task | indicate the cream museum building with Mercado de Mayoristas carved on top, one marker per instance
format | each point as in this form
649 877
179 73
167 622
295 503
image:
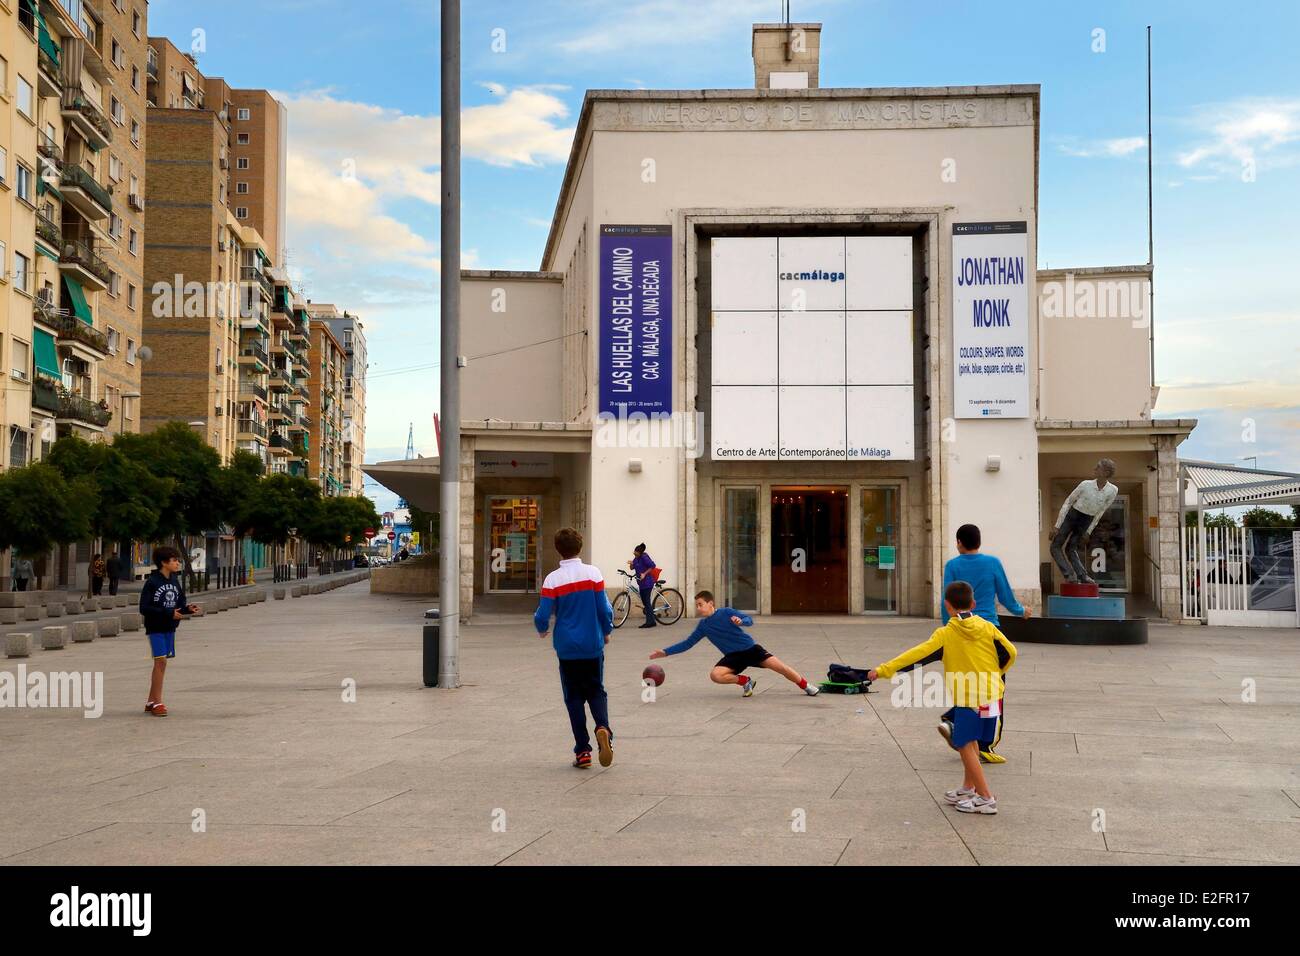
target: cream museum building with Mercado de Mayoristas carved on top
792 338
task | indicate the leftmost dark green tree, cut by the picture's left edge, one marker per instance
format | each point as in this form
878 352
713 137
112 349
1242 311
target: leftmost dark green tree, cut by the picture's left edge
40 509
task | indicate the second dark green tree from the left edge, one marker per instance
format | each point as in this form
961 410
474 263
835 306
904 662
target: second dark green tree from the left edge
127 495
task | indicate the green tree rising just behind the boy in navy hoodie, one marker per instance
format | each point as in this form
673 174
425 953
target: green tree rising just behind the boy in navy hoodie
177 452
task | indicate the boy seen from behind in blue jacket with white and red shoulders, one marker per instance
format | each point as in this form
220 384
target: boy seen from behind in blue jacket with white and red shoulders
575 595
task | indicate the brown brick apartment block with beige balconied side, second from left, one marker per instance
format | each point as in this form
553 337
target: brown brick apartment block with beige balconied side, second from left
209 248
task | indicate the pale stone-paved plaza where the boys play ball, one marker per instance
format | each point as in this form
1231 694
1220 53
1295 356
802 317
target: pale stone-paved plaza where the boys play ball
263 749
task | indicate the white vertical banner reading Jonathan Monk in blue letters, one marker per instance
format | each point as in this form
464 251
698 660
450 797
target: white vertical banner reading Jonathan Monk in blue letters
991 321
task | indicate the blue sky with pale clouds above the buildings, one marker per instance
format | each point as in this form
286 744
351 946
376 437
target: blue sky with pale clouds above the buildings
362 88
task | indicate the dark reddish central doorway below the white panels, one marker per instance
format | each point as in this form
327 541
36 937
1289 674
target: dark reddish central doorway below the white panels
811 551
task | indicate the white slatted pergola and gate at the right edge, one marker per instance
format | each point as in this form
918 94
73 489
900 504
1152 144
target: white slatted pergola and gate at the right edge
1224 579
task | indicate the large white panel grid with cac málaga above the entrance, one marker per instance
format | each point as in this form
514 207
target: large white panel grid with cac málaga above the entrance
846 377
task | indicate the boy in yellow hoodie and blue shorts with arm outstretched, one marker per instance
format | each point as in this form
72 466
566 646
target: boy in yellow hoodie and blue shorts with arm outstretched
973 677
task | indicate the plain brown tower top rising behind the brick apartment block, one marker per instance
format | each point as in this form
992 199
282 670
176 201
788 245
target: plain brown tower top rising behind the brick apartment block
261 128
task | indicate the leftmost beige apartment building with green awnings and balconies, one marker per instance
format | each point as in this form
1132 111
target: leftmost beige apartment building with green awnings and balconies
75 237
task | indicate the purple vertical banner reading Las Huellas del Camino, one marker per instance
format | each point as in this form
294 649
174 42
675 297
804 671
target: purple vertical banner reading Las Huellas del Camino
636 319
